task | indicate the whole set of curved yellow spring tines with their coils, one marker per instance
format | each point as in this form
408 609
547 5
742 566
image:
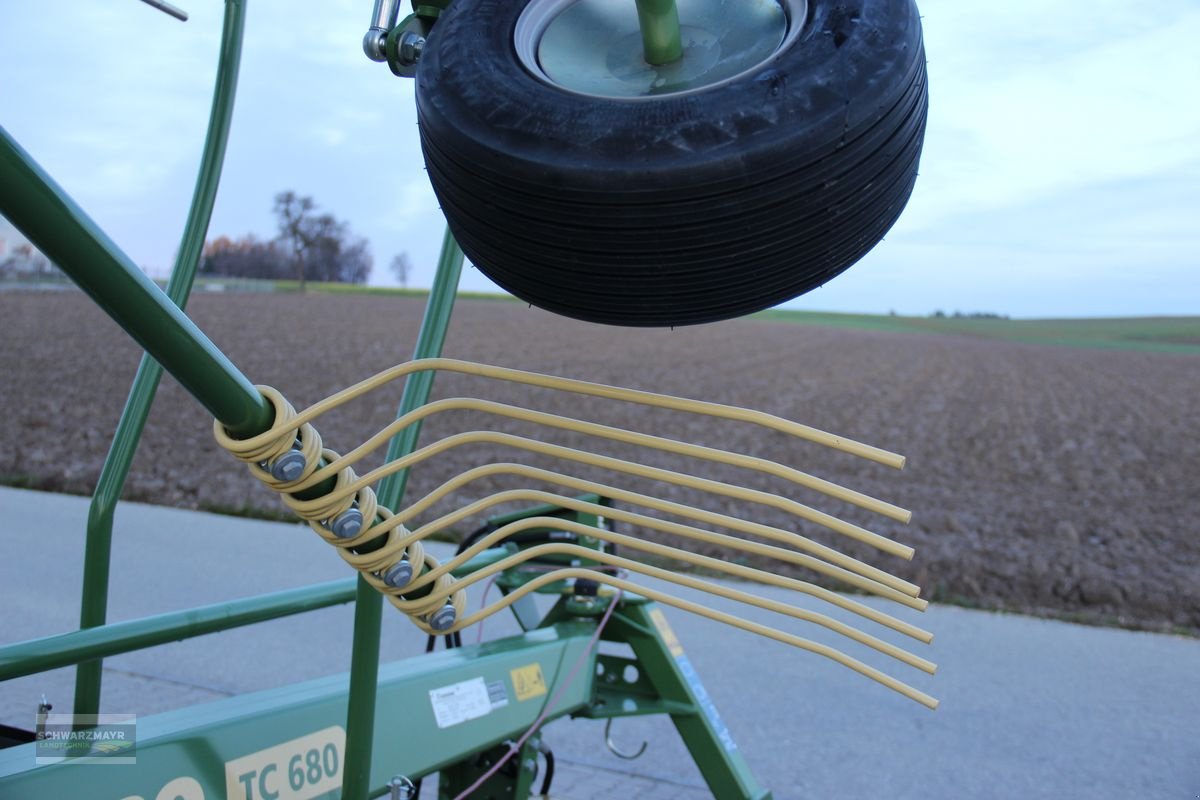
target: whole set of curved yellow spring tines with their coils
441 587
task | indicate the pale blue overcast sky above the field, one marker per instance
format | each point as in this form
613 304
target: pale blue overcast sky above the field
1061 176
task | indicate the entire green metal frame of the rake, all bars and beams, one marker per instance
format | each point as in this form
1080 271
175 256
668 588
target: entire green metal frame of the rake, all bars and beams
200 751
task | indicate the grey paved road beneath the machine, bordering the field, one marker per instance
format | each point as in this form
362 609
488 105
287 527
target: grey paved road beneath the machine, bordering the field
1030 708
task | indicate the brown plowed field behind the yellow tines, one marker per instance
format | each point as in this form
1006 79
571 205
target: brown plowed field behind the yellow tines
1054 480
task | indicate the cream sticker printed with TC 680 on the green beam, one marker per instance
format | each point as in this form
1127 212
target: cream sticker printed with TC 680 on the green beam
301 769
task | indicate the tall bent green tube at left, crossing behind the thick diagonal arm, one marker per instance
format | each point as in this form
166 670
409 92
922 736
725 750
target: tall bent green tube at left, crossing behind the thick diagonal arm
98 550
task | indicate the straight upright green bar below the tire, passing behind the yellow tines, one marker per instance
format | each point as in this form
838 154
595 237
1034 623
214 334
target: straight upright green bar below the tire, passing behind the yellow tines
369 610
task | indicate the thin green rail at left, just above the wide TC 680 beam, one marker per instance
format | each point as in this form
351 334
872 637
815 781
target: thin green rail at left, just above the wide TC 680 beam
67 649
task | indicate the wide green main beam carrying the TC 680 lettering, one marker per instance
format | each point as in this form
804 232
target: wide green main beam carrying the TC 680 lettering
251 739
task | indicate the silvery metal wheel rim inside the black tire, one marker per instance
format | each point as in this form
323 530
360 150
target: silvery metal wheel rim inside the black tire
595 47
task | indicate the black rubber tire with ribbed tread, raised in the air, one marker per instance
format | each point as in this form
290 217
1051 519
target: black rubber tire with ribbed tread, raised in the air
682 209
